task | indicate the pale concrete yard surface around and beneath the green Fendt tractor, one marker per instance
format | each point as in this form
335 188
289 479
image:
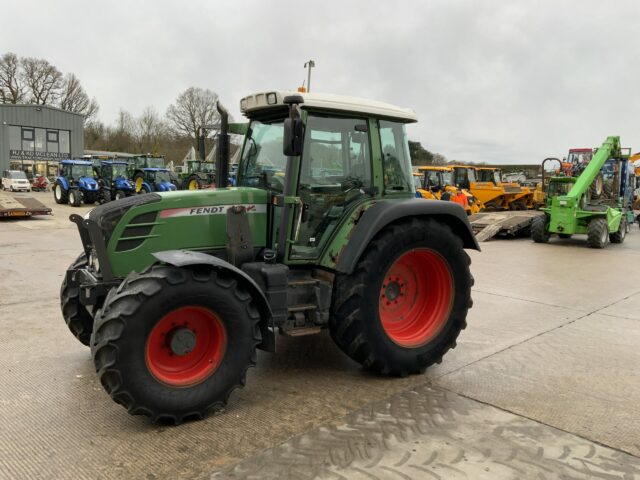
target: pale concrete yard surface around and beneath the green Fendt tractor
544 383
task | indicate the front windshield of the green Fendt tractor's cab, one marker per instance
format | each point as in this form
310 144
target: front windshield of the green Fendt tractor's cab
263 164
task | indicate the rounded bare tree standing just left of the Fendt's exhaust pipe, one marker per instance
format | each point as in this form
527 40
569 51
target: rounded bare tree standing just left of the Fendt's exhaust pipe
193 108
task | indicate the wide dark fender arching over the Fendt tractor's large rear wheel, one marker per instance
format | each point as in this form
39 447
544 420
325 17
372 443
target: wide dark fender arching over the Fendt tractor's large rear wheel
385 212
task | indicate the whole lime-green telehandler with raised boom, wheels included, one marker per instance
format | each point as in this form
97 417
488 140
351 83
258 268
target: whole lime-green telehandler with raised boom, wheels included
596 202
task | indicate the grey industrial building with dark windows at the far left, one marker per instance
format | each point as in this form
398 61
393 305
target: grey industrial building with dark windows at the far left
33 138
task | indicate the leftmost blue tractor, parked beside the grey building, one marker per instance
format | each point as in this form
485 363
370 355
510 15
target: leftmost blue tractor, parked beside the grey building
75 183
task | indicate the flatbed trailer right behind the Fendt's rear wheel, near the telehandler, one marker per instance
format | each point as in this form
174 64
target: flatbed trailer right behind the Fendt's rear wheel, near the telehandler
512 223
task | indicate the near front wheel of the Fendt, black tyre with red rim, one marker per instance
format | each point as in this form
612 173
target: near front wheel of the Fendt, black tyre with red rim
172 343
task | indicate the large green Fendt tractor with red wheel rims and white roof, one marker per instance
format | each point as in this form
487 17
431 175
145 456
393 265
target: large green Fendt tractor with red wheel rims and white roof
175 291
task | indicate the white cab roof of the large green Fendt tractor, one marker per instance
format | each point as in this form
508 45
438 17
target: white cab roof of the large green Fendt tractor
268 100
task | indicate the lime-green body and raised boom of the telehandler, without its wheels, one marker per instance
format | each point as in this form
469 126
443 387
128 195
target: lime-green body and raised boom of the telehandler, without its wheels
571 213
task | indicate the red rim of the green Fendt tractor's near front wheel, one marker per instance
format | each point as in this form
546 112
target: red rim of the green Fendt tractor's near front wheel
191 365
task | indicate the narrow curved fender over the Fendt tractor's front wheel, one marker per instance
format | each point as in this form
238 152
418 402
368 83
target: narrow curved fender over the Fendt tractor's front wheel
186 258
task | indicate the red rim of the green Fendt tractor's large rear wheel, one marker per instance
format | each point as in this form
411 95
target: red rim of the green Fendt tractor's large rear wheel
416 297
